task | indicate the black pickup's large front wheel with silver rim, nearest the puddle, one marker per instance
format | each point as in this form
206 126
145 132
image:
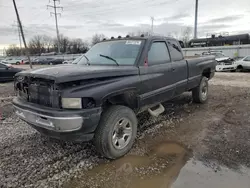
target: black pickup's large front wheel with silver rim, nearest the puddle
108 134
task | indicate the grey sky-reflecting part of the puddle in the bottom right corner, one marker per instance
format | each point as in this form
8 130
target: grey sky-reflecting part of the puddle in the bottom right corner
196 175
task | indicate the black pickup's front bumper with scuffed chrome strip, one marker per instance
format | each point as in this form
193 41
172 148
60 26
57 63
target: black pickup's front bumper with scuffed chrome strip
74 125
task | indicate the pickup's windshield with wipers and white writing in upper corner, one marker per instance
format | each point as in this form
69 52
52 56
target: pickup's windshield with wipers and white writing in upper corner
122 52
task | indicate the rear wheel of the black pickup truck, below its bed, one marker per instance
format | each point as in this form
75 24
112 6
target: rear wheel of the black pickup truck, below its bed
200 93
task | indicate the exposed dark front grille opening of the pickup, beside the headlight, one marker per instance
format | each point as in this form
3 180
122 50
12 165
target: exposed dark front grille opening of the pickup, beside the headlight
38 91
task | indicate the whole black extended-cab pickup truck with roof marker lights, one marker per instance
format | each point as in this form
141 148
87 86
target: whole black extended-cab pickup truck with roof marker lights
99 95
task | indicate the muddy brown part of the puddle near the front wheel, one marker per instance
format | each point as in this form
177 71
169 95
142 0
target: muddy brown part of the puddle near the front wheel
157 170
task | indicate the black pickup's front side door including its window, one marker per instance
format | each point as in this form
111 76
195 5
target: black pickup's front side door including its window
157 77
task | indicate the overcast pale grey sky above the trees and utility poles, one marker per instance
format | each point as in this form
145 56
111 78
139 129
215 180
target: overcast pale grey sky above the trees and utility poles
83 18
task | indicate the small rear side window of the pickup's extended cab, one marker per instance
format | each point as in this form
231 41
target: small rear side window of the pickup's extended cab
175 50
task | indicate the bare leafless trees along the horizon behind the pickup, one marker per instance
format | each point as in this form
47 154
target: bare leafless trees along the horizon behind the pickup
40 44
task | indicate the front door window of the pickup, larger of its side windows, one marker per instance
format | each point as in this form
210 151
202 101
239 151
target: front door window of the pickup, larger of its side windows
158 53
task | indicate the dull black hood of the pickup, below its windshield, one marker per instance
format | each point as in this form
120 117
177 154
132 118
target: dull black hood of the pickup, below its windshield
67 73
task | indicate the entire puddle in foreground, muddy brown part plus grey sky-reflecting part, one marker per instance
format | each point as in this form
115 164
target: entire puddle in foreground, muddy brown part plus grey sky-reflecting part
168 165
